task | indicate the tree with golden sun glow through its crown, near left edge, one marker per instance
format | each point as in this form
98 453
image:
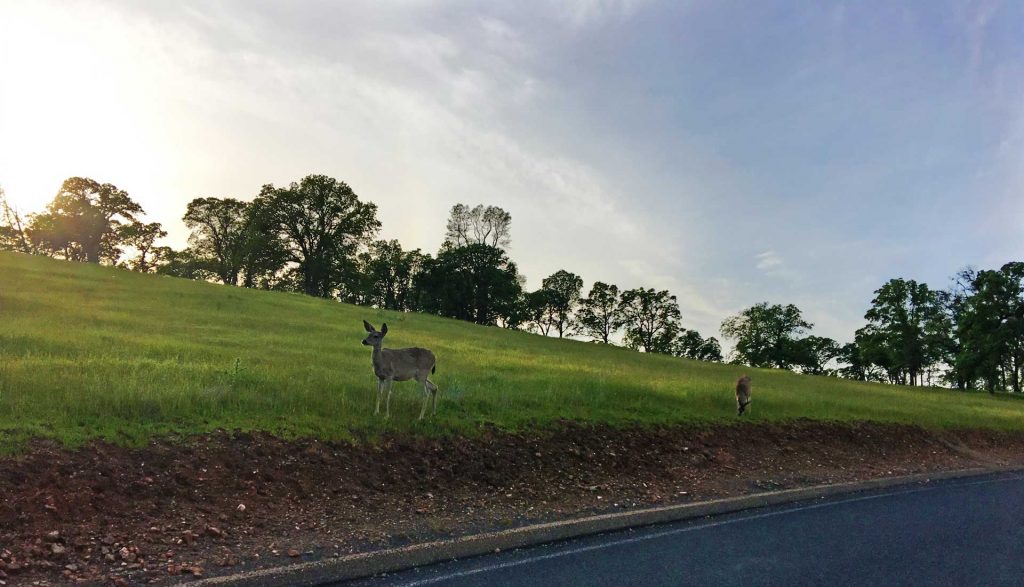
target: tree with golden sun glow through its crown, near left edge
82 223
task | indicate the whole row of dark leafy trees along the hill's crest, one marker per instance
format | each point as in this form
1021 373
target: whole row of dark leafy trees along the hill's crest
319 238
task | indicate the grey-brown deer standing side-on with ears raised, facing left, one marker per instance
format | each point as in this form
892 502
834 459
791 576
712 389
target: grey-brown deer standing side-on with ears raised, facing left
393 365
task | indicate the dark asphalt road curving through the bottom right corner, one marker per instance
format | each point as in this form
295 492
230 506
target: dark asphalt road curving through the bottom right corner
955 533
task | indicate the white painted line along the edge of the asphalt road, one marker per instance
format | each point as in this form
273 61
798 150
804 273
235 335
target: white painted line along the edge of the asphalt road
662 534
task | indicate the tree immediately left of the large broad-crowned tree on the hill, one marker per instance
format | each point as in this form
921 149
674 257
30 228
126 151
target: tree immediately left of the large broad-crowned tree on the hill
219 235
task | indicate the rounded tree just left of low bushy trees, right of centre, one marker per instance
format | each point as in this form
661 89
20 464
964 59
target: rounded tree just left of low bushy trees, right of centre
651 319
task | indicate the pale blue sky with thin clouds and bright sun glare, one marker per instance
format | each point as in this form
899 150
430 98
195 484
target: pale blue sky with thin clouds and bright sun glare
730 152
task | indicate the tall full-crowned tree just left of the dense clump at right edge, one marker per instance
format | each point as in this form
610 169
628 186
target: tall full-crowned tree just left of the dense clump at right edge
907 332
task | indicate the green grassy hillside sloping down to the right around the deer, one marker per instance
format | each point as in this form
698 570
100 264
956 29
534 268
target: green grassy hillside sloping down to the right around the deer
90 352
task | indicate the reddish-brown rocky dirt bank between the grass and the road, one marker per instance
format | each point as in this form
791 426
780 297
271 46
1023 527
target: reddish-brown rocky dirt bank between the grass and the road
184 509
